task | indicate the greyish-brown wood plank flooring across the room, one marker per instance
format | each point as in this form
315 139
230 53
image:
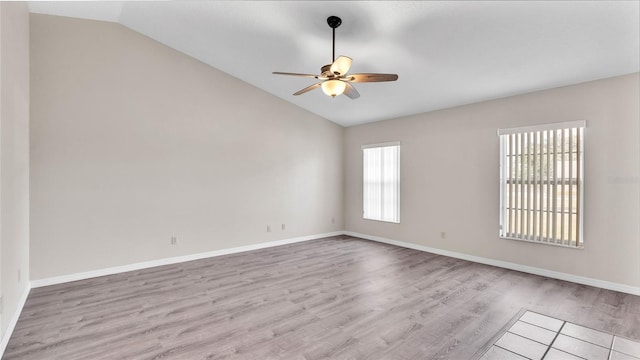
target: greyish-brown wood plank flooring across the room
333 298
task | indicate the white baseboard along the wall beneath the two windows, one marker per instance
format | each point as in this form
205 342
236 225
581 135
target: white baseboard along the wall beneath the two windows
507 265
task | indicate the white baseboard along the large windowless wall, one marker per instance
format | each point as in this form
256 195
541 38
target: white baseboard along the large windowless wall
173 260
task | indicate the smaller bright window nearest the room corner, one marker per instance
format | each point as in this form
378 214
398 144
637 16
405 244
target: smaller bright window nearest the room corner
381 182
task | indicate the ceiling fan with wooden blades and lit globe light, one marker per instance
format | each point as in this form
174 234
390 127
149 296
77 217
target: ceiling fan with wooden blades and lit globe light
334 78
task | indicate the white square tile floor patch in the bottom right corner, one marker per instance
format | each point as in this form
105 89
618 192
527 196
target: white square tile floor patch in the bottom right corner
534 336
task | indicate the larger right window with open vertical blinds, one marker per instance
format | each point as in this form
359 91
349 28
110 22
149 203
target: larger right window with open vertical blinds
541 183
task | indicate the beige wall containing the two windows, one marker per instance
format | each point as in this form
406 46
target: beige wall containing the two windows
449 178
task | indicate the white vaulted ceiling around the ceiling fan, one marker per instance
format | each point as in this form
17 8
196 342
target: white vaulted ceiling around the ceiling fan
446 53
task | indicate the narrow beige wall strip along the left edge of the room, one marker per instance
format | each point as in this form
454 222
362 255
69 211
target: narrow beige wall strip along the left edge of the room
14 156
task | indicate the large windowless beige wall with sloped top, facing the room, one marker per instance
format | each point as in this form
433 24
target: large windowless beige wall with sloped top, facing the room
133 142
